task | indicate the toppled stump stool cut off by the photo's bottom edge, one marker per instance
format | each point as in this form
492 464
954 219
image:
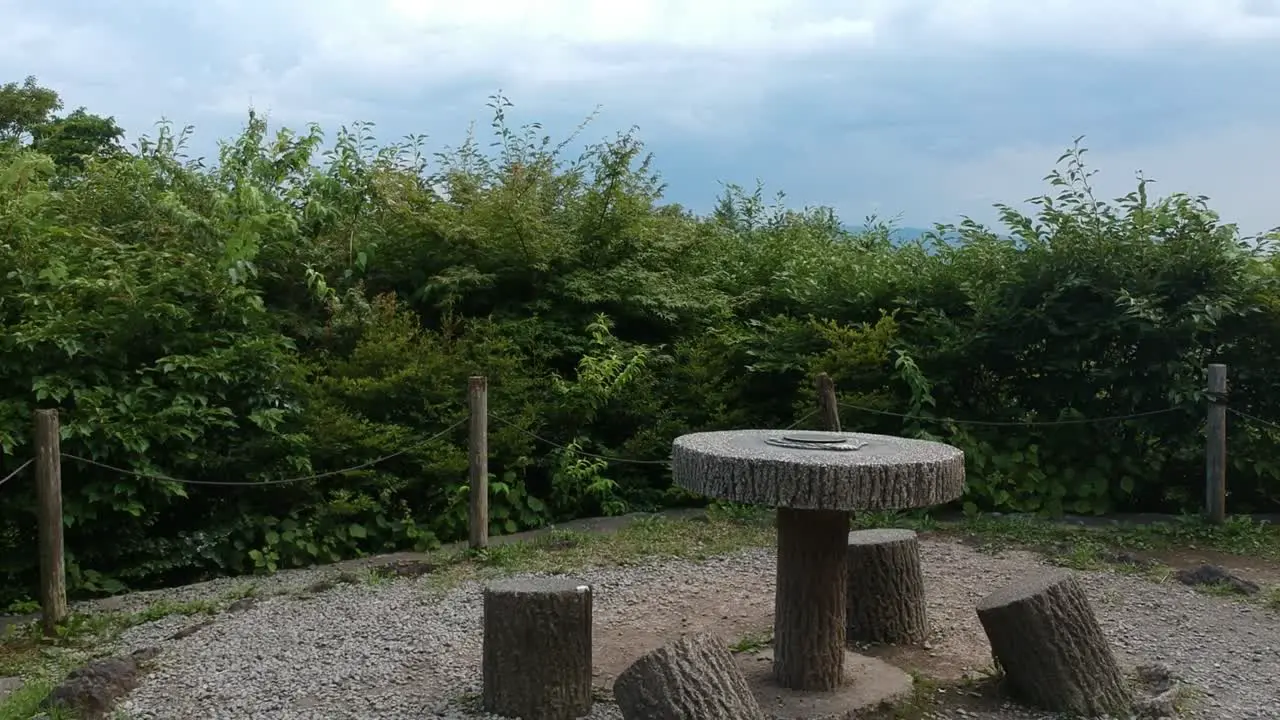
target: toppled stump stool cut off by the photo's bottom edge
694 678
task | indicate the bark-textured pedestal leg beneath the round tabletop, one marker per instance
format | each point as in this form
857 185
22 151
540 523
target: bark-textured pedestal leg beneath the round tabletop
810 605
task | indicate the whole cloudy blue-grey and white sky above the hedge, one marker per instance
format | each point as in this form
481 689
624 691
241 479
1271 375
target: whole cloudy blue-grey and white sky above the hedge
924 108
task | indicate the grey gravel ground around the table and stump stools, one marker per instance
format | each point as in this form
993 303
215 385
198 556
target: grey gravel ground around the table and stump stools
395 651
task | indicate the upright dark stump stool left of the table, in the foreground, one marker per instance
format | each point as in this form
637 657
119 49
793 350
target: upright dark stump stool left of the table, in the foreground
538 649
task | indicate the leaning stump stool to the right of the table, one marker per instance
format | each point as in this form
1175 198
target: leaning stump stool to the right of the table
1054 655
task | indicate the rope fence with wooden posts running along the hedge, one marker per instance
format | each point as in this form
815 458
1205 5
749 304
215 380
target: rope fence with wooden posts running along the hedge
48 464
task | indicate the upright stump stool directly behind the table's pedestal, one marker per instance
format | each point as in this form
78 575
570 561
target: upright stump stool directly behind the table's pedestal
885 601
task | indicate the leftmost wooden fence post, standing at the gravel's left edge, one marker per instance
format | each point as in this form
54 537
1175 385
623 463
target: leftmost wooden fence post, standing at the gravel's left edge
49 521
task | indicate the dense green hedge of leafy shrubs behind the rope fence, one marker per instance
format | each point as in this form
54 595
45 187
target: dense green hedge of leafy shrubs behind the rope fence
313 308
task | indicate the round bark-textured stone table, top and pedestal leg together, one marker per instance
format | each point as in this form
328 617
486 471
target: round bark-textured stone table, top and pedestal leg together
816 480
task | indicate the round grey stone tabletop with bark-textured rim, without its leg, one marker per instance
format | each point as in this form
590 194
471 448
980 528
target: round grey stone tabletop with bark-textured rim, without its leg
819 471
